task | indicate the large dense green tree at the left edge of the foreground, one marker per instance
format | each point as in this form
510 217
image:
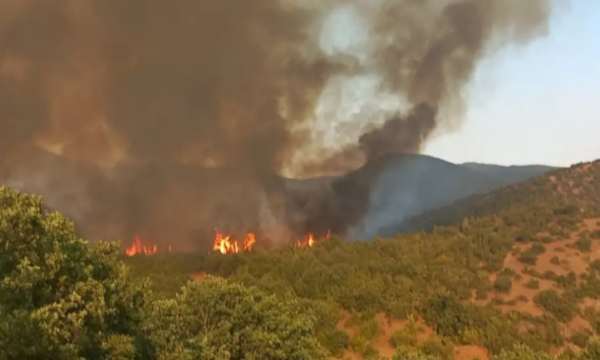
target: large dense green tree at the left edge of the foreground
60 297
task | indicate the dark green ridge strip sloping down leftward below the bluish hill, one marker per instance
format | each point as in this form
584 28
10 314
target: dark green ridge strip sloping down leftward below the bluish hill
578 186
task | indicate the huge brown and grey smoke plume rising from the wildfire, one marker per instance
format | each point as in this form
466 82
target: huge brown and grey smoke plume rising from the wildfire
142 97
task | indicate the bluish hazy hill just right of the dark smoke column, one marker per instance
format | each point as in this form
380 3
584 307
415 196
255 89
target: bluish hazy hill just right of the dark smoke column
403 185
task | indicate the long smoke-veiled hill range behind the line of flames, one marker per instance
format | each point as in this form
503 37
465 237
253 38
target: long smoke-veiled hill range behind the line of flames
142 199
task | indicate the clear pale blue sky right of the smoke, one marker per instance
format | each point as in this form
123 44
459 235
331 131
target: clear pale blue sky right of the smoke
538 104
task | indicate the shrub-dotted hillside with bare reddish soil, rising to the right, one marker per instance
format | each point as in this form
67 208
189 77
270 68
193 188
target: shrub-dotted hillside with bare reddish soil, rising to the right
528 272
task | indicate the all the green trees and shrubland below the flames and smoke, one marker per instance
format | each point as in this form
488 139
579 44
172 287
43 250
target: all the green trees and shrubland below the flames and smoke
509 275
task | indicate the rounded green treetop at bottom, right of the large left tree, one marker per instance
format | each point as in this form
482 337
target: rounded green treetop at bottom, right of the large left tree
217 320
